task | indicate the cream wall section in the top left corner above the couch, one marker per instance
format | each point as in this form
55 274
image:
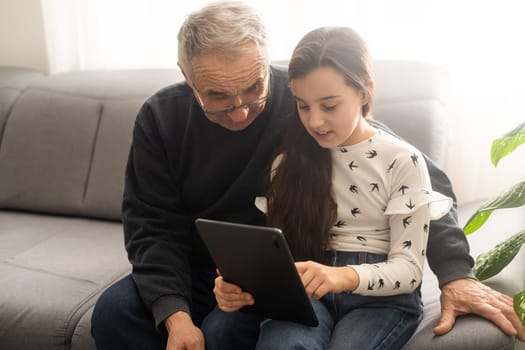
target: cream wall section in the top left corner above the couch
22 39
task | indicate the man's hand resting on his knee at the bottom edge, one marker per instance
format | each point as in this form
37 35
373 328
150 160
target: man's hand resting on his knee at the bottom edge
182 333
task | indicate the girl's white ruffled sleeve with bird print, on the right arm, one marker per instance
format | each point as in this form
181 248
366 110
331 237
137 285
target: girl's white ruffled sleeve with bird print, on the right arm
409 212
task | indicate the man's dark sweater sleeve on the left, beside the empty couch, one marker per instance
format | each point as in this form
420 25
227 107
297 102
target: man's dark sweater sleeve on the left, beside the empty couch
156 230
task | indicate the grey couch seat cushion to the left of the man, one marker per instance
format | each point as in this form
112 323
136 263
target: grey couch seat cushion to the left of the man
52 269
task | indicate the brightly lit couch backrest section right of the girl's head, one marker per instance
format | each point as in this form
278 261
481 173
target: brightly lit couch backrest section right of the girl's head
412 98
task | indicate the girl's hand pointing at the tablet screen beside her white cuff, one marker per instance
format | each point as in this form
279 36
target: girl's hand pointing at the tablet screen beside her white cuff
319 279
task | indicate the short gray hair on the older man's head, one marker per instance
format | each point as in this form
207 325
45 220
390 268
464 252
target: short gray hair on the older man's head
224 26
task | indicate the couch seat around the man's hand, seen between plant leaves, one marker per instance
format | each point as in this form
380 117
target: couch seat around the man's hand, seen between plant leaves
472 332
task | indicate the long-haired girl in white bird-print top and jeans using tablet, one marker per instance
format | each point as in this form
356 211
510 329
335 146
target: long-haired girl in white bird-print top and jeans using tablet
354 203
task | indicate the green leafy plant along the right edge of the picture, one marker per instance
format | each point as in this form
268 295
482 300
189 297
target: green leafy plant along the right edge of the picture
492 262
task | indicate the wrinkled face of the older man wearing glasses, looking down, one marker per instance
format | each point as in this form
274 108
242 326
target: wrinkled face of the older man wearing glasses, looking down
232 90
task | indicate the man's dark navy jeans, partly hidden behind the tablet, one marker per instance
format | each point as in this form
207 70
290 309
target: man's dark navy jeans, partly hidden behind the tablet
121 321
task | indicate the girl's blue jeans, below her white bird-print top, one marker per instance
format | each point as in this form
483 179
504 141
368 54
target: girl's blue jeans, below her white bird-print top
349 321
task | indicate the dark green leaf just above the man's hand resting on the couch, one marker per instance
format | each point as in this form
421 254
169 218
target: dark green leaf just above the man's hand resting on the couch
490 263
